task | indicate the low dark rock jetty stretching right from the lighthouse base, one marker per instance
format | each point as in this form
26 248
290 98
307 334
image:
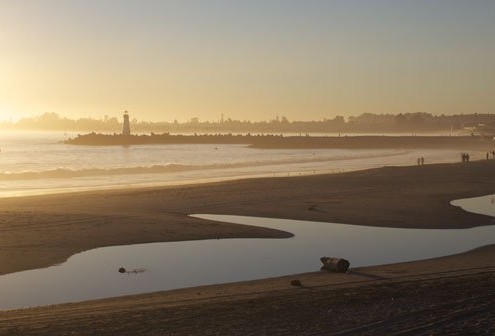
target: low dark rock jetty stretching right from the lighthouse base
290 142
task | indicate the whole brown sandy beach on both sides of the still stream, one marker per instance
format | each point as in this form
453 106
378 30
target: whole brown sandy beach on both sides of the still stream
450 295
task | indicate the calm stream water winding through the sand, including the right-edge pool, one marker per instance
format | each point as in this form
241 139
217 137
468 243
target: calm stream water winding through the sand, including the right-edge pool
93 274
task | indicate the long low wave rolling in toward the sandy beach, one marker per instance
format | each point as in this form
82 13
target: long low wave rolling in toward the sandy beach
65 173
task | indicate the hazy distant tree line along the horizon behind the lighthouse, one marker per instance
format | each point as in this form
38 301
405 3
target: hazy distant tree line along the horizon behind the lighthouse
373 123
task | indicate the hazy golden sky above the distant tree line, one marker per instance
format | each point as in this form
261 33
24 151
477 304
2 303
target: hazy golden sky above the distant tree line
307 59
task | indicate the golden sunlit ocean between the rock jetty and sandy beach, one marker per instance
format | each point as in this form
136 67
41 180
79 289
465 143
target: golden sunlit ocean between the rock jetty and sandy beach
34 163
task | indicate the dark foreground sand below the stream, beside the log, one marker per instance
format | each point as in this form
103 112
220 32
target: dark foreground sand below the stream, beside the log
447 295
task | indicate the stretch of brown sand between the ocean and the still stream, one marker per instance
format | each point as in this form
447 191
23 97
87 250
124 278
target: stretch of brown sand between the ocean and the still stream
40 231
